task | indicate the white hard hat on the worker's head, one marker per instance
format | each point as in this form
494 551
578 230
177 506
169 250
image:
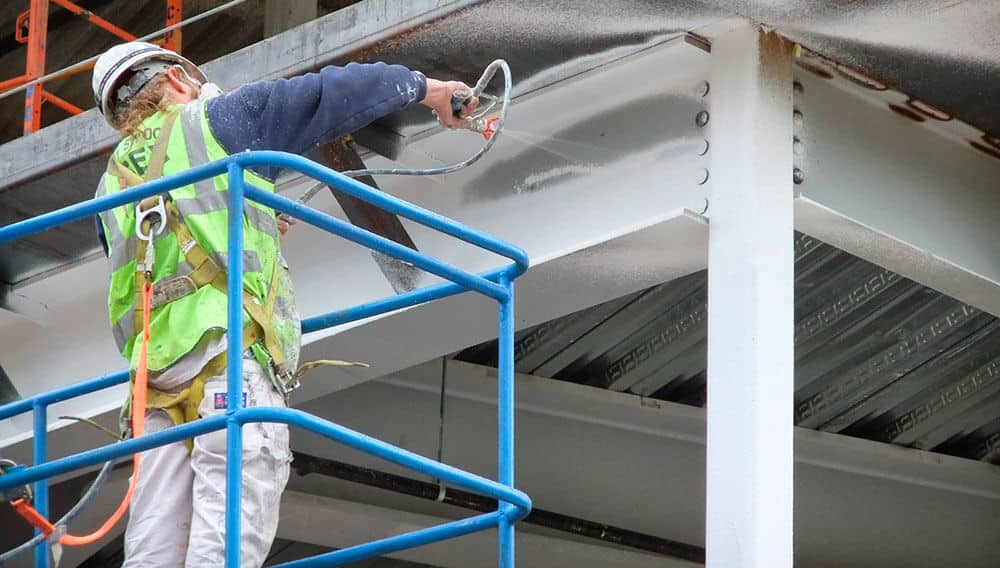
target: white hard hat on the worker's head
116 63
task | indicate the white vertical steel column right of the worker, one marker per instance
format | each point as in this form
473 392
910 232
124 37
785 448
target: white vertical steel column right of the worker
750 293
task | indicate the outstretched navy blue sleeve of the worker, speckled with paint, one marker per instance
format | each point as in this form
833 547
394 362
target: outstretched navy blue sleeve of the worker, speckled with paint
294 115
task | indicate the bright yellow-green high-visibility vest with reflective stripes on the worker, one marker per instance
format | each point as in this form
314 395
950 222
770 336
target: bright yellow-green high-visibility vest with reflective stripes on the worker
183 312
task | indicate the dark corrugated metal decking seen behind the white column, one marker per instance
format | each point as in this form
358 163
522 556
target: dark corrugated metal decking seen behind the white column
877 356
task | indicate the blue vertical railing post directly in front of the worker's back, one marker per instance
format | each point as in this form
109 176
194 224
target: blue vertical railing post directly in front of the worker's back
234 366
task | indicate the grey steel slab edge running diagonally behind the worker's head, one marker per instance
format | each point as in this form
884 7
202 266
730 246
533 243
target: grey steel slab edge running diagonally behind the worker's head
302 49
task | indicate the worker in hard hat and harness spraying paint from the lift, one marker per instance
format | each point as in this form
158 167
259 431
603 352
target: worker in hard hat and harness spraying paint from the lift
172 119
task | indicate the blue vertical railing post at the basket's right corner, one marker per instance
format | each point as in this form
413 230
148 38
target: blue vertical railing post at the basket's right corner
505 410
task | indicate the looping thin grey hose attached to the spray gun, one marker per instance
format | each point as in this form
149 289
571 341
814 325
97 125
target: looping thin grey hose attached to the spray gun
477 123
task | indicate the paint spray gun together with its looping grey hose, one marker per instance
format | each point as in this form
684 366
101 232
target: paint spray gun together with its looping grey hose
477 122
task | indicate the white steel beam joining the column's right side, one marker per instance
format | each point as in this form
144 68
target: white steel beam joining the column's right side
902 194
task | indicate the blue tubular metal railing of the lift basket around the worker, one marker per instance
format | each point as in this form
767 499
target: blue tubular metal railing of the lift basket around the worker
497 284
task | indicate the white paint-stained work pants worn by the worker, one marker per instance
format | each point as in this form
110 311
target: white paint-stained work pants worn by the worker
178 512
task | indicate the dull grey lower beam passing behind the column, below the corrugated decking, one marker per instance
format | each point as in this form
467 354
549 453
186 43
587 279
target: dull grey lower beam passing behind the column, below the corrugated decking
638 463
